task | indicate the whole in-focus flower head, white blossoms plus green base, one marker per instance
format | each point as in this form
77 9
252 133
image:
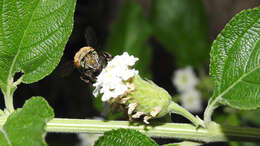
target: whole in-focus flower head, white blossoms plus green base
120 83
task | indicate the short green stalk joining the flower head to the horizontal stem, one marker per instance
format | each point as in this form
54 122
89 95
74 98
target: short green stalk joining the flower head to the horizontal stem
175 108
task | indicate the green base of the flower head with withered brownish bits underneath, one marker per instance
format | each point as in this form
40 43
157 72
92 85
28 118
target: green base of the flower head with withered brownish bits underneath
147 100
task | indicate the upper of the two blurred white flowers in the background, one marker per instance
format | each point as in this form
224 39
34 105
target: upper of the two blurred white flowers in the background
185 79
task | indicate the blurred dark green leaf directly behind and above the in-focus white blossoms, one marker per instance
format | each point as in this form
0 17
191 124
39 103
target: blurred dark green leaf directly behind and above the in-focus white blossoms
129 34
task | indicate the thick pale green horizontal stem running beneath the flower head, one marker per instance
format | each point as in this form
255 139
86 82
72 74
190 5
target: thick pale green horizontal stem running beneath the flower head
213 133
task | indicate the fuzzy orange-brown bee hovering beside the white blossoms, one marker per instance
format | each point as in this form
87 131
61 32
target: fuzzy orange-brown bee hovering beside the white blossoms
90 61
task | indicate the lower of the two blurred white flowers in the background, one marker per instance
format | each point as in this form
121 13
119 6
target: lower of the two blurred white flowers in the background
191 100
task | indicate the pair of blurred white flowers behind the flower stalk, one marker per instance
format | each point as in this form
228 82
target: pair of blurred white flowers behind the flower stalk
185 81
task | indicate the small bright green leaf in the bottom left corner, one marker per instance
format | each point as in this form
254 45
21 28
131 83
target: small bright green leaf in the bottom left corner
26 126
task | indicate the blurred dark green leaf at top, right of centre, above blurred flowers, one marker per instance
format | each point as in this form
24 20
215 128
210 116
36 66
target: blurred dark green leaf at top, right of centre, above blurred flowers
181 27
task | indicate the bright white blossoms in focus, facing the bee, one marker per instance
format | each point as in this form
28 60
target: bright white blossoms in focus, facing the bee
112 81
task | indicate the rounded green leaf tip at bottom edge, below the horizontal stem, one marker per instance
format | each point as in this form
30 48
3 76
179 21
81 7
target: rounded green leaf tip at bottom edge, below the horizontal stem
125 137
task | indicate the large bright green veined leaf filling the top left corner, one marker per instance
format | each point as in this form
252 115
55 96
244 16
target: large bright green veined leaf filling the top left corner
33 34
